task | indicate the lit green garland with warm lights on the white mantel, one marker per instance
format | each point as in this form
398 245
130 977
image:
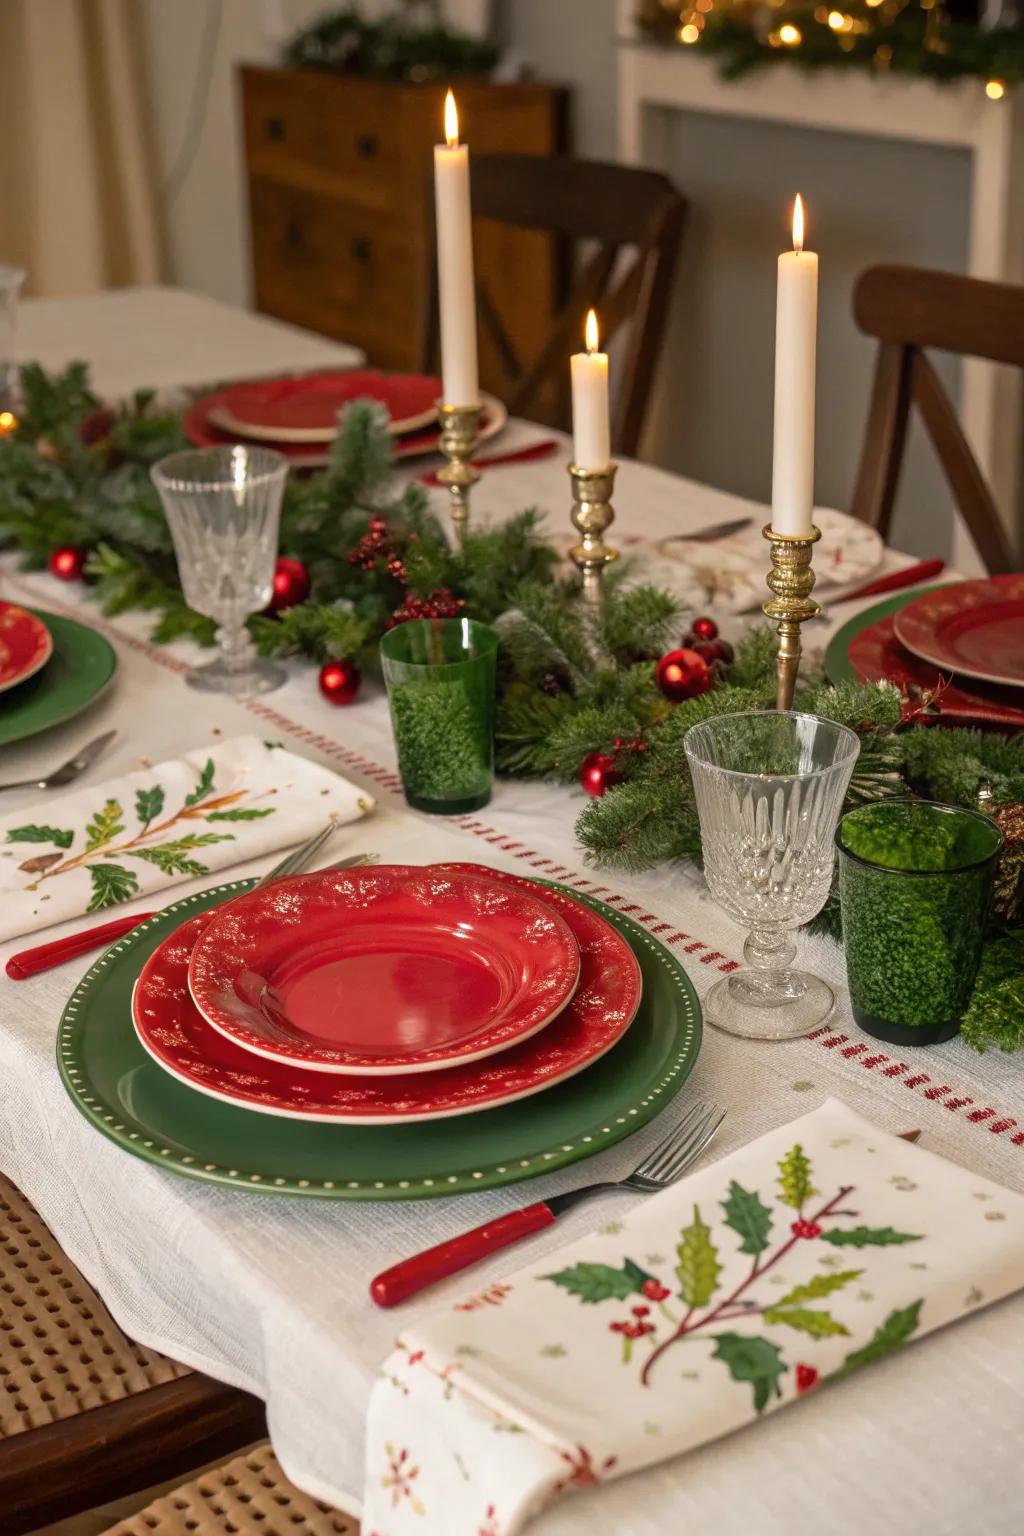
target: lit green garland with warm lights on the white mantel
925 39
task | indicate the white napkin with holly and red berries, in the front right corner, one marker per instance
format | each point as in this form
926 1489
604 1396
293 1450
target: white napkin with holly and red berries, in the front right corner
773 1274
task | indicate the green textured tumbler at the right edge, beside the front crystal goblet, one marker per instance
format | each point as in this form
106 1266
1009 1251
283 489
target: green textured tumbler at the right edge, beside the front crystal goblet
916 881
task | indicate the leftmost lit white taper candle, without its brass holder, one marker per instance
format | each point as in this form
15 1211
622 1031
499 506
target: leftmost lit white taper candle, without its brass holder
455 266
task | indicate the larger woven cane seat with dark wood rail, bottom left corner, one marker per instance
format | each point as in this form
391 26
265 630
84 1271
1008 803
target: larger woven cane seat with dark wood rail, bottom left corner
87 1415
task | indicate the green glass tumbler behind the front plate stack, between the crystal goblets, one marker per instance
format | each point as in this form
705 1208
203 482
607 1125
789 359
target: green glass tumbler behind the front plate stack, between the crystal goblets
441 680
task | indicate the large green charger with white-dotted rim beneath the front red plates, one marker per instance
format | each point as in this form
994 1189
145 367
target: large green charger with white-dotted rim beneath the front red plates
136 1104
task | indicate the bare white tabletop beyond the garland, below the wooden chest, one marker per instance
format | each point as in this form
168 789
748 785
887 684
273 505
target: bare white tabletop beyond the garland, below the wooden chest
167 339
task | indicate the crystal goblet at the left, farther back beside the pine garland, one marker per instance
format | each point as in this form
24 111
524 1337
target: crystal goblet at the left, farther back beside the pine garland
223 508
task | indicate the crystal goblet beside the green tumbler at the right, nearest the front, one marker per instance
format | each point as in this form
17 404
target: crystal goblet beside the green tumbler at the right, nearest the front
770 789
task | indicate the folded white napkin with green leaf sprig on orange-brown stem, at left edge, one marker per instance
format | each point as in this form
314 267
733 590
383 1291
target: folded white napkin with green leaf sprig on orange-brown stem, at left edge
148 830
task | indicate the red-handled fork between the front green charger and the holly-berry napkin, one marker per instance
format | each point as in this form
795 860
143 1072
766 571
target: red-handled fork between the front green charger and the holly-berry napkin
661 1168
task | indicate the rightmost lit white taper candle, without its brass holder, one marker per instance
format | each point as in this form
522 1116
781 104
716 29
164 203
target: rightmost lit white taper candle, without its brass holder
796 346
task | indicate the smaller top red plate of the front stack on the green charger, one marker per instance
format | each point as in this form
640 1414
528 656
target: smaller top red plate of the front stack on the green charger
383 970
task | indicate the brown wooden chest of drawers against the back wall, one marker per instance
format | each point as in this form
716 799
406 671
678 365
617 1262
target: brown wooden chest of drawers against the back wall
342 188
